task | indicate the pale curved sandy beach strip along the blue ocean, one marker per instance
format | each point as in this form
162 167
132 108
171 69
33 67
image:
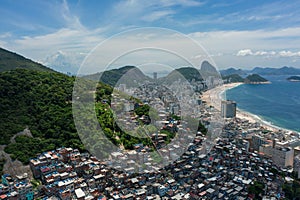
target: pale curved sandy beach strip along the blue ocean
213 97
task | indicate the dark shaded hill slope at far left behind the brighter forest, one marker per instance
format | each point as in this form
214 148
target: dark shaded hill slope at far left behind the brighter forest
10 61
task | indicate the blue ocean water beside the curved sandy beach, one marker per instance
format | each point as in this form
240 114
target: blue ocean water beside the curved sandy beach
277 103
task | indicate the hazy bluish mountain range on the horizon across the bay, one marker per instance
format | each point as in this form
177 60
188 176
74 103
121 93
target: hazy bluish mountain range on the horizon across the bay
262 71
